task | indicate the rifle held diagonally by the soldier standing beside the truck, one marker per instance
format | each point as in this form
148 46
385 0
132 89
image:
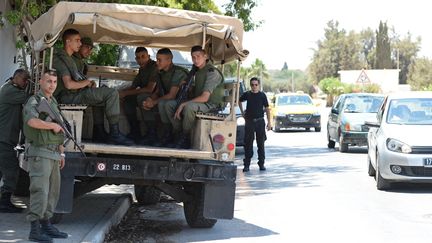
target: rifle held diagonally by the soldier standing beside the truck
58 118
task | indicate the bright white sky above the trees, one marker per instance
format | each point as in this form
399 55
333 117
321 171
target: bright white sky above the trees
291 29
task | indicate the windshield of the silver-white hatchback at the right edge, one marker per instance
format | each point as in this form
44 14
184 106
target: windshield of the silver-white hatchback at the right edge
413 111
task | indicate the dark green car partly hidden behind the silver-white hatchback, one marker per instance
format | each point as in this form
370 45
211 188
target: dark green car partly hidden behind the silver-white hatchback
347 117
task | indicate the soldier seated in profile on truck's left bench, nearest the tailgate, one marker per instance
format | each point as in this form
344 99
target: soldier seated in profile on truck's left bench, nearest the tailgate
74 88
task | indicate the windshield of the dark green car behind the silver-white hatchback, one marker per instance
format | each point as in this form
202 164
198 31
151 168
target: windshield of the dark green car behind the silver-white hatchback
362 104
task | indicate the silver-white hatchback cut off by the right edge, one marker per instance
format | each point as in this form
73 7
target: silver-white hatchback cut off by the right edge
400 144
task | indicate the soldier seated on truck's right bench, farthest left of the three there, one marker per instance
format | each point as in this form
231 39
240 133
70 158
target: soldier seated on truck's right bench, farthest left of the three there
141 89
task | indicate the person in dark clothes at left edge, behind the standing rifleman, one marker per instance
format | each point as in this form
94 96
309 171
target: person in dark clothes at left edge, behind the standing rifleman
12 98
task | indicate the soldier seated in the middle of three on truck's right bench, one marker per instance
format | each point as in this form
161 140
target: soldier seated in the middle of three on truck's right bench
168 80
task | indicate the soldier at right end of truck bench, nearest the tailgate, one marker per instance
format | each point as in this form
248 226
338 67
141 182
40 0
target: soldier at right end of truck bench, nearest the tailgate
207 94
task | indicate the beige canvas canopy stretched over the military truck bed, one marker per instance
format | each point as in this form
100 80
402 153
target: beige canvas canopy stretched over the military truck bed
140 25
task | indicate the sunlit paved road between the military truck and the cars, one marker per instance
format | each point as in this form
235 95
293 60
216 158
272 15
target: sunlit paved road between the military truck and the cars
308 194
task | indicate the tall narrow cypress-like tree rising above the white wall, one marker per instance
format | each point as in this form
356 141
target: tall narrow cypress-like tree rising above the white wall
383 55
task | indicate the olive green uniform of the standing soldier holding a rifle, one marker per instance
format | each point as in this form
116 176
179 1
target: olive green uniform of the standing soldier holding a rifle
43 158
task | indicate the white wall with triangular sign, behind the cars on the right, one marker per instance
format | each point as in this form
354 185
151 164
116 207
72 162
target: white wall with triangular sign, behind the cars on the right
387 79
